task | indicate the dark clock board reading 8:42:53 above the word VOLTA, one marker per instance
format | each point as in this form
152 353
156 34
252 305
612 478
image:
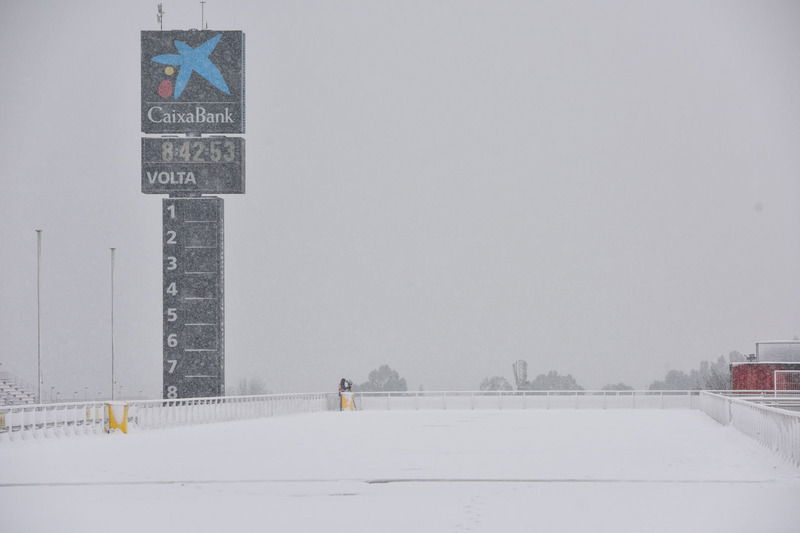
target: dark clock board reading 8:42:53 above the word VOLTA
209 165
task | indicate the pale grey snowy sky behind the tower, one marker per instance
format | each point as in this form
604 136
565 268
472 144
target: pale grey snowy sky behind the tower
608 189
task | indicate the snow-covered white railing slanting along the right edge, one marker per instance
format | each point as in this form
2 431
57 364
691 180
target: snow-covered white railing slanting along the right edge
777 428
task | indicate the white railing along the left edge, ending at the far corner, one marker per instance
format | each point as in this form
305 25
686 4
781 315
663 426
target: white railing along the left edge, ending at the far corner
81 418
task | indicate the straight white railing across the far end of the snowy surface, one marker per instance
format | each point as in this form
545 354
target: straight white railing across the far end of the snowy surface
582 399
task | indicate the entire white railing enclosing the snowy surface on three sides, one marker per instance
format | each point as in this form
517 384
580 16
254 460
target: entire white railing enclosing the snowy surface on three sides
773 420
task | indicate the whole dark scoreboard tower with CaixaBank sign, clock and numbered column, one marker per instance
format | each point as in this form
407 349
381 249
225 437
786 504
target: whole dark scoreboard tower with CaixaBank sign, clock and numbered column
193 85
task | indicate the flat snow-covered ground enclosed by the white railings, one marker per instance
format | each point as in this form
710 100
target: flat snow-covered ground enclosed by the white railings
431 471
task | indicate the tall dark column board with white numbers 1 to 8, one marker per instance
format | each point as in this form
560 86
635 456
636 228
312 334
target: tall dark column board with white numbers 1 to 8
194 340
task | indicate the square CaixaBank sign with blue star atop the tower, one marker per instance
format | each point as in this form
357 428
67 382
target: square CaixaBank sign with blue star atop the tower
192 82
